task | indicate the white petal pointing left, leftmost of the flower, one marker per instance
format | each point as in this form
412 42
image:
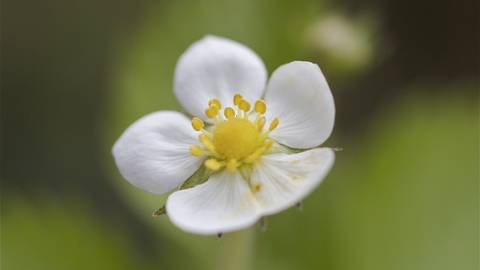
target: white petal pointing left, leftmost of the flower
154 152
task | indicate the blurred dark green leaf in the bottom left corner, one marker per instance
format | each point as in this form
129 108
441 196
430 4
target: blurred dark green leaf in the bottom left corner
59 235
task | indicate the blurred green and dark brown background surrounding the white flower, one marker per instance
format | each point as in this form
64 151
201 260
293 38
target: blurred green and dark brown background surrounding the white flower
403 193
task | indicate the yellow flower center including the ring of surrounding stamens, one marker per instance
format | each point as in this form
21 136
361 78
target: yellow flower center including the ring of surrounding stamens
237 138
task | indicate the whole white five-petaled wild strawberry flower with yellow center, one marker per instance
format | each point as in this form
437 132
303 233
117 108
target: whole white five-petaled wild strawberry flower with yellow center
251 149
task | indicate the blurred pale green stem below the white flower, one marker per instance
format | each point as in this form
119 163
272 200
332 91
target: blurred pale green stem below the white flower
236 250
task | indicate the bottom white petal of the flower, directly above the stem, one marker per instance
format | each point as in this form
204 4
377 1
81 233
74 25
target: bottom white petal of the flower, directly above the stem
223 203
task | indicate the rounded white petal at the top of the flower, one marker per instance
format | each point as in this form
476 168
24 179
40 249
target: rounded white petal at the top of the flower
215 67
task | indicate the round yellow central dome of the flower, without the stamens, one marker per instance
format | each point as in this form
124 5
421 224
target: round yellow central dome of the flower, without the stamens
235 138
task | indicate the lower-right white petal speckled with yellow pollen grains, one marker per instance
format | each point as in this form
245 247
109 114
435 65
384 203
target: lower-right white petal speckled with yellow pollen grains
279 181
